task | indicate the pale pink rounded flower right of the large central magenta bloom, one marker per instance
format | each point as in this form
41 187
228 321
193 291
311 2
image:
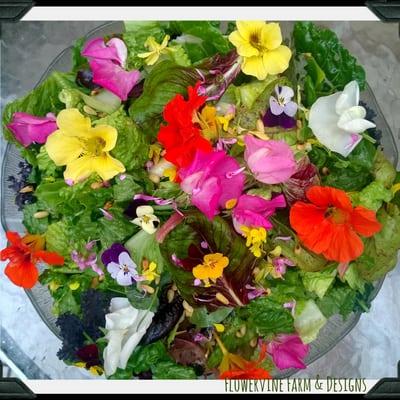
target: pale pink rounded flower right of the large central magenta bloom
271 161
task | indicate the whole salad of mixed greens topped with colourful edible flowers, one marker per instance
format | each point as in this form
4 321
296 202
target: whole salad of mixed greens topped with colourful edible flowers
200 199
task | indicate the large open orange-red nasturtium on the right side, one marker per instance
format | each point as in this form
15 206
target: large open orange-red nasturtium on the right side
329 225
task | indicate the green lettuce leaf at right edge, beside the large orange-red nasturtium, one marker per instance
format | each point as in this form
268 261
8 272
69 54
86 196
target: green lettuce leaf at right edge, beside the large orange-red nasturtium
380 250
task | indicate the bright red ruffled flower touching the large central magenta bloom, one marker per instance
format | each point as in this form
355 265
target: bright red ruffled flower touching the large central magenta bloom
181 137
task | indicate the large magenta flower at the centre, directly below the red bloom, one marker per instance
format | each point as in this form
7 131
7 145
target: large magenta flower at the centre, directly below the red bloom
212 179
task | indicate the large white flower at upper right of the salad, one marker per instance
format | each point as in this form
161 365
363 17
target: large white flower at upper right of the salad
337 120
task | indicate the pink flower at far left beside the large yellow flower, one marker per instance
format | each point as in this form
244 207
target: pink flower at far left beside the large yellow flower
29 129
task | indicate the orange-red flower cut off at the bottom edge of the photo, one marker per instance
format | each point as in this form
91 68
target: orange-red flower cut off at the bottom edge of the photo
243 369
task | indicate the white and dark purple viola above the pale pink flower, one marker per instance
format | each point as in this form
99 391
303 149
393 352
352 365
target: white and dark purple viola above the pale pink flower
282 109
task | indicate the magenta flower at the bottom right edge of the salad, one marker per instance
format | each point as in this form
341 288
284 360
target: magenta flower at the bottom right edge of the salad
288 351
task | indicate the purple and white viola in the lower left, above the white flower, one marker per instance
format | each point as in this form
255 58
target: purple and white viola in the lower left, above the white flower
120 265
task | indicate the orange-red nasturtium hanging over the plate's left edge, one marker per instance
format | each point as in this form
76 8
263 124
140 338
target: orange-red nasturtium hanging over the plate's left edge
23 254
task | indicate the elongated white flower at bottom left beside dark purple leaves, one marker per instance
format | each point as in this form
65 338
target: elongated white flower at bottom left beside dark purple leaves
126 326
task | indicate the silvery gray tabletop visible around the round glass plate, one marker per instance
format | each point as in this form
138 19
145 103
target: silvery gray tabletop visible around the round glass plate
371 350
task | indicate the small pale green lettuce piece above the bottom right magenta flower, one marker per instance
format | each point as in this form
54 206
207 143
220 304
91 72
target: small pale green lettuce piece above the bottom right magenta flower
308 320
